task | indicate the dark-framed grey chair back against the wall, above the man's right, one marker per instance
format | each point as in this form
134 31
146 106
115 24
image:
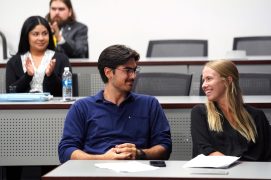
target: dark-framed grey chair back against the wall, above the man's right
177 48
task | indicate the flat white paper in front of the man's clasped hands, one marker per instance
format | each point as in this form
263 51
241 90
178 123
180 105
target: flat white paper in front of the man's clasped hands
133 166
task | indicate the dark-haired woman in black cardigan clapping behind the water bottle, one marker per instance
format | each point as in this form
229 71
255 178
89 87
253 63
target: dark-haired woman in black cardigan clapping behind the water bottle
36 67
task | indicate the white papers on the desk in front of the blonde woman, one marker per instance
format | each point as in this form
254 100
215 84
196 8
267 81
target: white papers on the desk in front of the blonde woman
211 161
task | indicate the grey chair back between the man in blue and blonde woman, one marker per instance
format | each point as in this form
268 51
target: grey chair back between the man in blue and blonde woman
163 84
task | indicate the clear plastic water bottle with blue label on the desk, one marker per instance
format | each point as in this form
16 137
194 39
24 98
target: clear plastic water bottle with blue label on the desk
67 84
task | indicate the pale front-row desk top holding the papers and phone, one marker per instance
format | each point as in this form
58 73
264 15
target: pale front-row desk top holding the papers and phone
77 170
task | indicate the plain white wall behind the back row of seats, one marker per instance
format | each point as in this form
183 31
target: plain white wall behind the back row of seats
135 22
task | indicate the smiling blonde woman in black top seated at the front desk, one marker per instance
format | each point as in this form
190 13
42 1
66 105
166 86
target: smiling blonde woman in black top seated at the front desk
225 125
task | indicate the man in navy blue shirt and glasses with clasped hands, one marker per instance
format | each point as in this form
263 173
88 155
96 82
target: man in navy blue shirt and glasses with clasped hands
116 124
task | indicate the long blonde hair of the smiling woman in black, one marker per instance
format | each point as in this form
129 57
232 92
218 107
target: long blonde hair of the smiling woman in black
244 123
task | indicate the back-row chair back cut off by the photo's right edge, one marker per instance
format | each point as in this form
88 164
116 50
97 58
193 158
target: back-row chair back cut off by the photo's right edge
254 46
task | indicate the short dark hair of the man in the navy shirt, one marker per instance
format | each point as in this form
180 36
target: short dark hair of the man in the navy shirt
114 56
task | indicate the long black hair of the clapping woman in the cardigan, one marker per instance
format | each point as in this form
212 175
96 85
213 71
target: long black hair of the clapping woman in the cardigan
29 24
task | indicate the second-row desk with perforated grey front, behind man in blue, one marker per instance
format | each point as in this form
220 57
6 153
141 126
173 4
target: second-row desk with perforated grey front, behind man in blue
30 131
